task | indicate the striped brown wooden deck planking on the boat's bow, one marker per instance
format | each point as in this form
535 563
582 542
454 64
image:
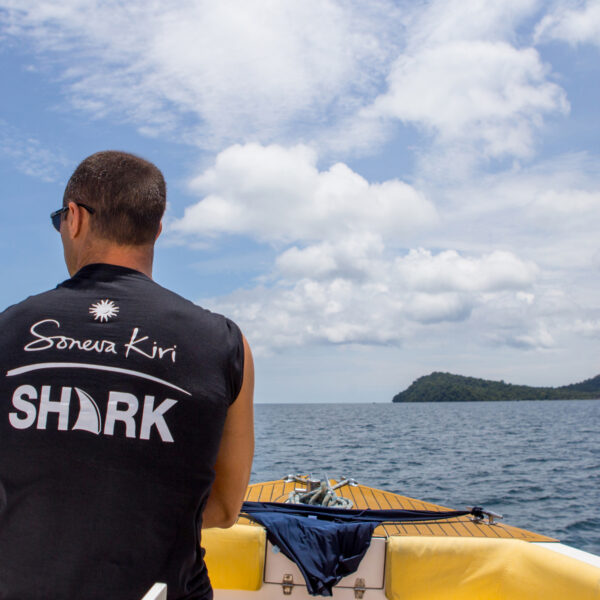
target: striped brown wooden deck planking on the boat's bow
366 497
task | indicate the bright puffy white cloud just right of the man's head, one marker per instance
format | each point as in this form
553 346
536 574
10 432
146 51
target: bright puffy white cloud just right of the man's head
278 194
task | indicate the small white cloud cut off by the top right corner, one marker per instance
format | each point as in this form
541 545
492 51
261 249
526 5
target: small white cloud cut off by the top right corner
573 25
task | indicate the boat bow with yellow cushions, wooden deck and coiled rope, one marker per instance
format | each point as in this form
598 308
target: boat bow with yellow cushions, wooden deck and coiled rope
472 555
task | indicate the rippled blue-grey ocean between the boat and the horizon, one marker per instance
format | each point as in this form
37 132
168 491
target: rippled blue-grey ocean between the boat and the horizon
536 462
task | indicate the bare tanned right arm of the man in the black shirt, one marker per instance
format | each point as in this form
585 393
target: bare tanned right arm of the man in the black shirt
234 460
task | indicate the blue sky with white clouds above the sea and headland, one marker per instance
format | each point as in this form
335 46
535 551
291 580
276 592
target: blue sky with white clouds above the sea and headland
373 190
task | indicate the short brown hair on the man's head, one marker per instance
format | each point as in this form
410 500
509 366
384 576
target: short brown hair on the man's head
127 192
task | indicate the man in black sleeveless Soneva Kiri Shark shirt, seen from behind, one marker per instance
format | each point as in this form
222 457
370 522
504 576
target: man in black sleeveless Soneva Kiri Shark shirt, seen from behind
126 415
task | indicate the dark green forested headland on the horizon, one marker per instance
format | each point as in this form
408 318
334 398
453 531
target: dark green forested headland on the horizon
446 387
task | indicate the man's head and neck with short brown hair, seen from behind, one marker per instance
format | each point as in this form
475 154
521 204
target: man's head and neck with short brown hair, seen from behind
127 198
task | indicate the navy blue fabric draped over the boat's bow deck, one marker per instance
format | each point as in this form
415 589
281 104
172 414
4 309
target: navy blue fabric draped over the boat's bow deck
327 543
